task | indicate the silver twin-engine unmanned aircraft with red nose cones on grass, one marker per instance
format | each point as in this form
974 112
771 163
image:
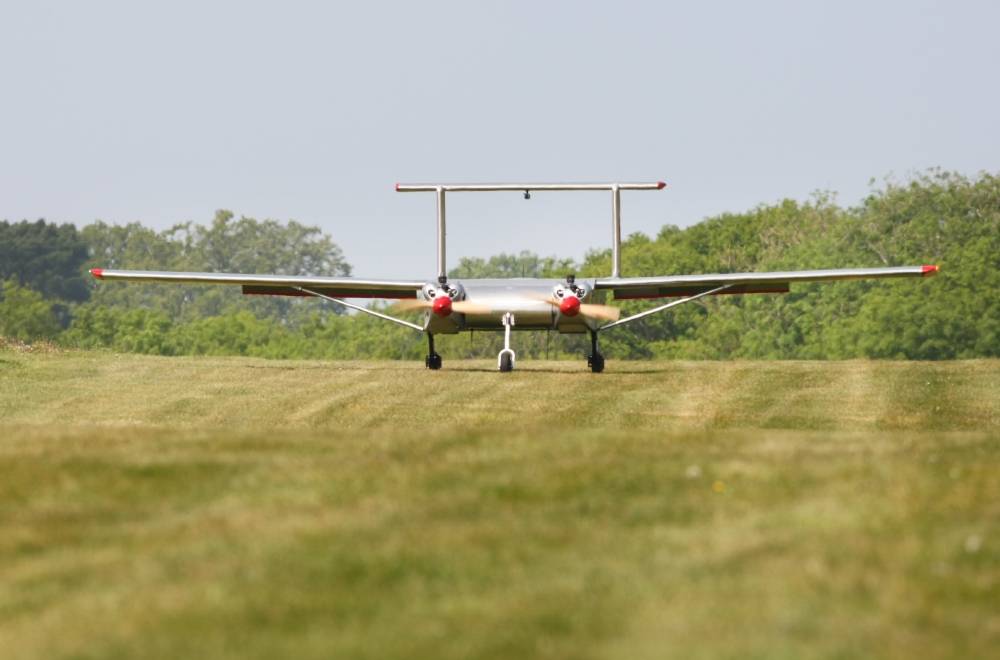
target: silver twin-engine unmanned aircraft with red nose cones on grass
569 305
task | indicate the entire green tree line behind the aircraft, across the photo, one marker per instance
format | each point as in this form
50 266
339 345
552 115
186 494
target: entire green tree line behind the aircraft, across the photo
938 217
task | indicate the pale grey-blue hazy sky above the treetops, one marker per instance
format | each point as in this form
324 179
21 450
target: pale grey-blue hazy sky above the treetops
164 112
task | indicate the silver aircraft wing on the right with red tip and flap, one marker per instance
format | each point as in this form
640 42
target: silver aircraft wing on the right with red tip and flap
625 288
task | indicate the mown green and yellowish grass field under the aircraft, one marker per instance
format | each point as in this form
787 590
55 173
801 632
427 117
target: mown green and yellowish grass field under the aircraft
207 507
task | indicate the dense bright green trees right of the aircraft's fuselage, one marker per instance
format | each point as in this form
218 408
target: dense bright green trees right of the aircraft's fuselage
938 217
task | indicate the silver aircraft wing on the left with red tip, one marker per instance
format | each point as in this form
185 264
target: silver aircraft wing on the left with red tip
275 285
